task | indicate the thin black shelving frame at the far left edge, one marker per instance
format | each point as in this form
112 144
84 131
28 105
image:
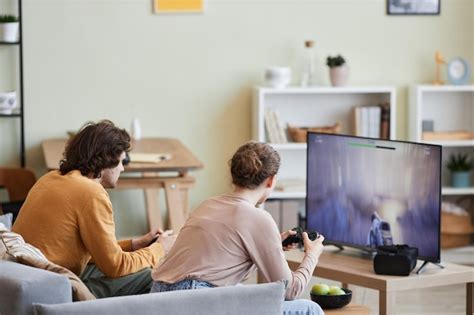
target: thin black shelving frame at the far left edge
21 101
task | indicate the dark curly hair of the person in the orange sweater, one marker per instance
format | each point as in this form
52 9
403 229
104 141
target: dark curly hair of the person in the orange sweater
97 146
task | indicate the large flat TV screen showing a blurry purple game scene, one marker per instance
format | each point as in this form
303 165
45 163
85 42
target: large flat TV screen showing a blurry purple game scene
364 192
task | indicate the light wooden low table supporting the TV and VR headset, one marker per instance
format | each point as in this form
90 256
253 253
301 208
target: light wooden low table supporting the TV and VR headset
349 267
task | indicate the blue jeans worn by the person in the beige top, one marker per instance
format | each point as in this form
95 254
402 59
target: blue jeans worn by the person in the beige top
295 307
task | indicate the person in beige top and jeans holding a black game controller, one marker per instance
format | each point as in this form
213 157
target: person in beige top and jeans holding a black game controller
228 236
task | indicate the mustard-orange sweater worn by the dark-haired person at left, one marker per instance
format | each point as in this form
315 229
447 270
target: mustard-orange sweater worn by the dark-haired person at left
70 219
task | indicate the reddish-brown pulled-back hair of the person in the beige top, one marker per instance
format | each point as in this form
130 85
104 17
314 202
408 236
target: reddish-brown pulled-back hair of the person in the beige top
253 163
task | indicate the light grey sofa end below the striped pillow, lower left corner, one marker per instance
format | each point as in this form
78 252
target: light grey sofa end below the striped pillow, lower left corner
21 286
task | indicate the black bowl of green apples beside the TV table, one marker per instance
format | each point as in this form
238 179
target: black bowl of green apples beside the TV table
330 296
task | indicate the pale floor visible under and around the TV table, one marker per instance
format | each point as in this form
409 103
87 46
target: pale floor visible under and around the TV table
447 300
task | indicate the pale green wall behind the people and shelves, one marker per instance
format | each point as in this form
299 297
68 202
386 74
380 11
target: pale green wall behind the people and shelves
190 76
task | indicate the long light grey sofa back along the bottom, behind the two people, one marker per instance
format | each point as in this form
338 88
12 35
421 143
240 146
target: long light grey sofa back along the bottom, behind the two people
240 299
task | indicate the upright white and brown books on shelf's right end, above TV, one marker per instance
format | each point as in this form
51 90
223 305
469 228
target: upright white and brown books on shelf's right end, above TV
372 121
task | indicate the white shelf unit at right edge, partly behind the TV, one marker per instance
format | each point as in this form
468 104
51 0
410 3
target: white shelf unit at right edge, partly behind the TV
450 108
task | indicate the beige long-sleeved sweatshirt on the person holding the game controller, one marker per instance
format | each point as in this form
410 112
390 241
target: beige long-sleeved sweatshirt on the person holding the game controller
224 239
